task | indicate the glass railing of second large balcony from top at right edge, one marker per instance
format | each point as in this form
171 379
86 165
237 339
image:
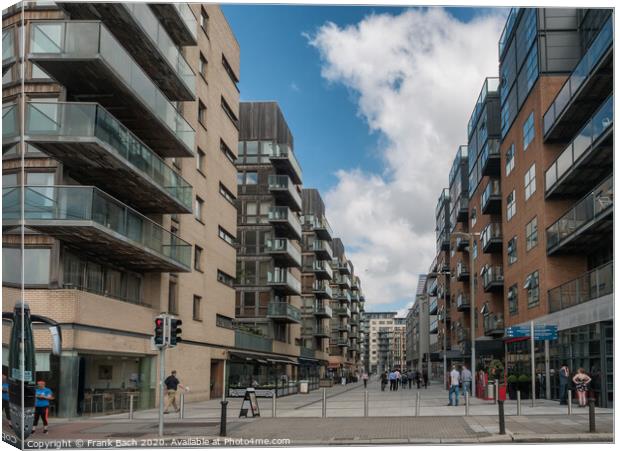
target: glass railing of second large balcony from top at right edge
600 122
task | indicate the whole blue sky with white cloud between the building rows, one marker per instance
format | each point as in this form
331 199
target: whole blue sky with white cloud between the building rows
378 100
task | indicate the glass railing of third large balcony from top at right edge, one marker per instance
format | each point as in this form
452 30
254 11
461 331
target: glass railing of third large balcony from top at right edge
596 204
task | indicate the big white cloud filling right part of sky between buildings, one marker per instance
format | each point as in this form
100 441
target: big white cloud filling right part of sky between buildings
416 77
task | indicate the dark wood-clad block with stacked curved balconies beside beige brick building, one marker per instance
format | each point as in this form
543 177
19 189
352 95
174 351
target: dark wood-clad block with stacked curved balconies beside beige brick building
269 259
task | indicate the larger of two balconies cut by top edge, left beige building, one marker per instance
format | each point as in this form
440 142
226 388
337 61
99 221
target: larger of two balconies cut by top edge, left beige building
145 38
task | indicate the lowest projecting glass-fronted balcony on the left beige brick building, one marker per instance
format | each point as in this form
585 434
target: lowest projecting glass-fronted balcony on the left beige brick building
95 222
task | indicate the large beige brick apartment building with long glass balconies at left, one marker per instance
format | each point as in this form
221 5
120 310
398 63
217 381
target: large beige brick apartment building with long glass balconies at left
123 218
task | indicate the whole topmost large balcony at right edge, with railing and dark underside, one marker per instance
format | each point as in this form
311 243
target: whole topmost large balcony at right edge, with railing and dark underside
589 84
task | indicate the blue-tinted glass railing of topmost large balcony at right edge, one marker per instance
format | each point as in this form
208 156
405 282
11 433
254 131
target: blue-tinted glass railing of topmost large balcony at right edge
582 71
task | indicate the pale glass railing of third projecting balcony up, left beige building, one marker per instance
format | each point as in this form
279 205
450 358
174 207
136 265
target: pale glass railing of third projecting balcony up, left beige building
72 40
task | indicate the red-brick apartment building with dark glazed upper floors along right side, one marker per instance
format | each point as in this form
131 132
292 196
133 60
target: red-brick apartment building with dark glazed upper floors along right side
538 201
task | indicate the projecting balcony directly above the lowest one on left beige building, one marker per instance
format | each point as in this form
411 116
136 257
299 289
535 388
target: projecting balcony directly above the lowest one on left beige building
100 150
